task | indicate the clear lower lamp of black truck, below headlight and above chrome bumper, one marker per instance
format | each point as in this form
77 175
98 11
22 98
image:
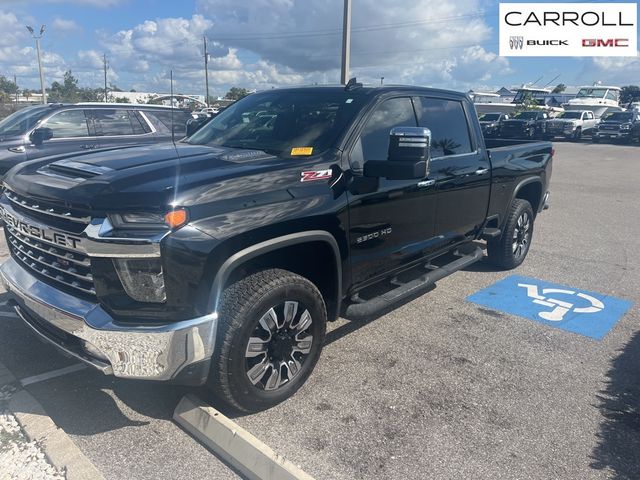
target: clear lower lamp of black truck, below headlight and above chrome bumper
142 279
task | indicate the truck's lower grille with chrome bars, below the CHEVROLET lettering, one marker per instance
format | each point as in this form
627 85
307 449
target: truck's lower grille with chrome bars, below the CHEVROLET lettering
69 269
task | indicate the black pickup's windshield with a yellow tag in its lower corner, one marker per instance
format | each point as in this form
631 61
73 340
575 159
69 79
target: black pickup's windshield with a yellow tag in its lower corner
283 123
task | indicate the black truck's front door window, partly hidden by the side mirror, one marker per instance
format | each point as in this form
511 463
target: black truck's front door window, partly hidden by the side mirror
373 143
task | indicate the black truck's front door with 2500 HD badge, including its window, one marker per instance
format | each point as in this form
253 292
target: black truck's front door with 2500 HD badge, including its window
391 221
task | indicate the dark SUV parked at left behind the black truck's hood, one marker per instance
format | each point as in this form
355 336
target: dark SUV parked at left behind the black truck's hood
44 130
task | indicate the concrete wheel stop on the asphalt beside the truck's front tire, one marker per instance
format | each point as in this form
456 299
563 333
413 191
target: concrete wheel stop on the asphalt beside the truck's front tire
232 443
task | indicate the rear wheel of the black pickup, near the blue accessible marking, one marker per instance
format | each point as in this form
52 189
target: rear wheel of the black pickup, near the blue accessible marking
512 247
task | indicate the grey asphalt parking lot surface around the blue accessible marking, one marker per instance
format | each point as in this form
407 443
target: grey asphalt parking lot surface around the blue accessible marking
438 388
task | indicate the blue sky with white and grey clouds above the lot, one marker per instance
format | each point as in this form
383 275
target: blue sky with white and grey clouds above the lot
260 44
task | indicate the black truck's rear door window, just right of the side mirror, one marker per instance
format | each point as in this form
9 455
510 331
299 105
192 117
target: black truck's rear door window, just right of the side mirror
448 125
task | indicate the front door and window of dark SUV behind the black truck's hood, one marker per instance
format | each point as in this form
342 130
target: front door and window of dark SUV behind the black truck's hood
71 133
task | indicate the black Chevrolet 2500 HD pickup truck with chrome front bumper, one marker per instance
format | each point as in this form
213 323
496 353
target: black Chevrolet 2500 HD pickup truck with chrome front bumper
220 259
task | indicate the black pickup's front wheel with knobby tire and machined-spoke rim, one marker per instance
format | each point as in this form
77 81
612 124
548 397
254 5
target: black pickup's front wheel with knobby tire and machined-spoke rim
261 307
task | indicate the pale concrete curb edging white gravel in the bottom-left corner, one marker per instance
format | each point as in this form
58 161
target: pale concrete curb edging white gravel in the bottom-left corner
38 426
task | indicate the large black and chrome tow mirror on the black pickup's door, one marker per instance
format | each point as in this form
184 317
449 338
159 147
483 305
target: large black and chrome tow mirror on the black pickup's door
408 155
